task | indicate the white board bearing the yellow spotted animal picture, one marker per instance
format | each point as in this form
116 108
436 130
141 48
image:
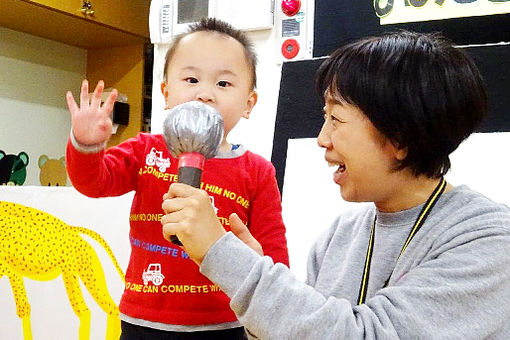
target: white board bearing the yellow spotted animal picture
62 258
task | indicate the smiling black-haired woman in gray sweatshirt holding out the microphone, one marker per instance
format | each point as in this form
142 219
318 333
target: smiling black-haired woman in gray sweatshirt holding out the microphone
426 260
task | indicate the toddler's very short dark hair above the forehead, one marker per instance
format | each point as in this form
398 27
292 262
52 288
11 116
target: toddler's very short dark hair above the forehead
218 26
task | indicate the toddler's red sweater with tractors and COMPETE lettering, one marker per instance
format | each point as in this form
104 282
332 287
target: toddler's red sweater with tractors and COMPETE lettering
162 284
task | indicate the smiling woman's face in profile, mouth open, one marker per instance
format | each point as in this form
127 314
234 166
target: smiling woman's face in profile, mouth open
365 159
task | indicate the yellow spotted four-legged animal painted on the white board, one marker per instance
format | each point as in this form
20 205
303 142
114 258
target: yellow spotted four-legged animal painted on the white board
40 246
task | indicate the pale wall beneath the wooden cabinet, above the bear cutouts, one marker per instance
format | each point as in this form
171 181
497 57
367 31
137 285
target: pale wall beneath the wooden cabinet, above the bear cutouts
35 74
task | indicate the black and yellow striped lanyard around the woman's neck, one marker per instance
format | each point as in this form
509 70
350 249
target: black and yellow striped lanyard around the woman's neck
417 225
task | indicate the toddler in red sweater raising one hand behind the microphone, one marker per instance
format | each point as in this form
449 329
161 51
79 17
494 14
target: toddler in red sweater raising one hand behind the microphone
215 64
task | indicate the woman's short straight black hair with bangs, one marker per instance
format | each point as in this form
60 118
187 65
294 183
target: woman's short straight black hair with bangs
418 90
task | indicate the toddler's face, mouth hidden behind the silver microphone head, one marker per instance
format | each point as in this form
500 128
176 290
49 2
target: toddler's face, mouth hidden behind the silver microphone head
211 68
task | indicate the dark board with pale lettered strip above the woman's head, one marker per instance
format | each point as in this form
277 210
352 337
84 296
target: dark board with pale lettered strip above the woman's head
466 22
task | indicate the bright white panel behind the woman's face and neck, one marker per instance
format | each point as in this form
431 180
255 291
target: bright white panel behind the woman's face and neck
311 200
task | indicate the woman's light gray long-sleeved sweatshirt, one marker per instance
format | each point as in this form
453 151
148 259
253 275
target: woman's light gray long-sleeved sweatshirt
452 282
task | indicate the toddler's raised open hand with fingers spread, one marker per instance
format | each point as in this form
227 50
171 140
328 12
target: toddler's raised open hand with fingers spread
91 121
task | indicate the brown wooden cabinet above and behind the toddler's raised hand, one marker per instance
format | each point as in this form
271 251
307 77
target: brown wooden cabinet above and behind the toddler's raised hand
115 38
